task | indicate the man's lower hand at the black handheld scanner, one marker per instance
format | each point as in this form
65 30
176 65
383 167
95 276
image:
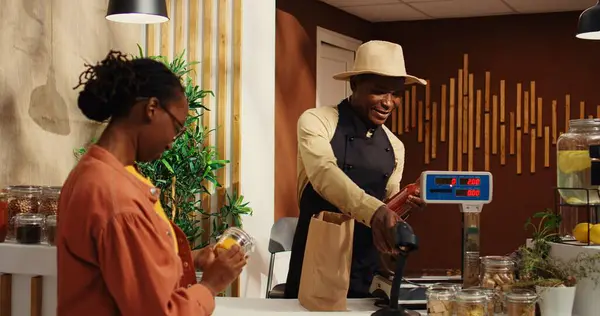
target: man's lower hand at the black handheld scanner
383 226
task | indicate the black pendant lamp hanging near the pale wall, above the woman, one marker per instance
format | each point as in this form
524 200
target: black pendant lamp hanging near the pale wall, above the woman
137 11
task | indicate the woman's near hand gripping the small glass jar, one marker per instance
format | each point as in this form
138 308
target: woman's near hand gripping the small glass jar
226 267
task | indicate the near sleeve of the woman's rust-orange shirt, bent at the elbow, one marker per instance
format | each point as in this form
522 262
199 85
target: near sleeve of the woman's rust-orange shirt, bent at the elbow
142 275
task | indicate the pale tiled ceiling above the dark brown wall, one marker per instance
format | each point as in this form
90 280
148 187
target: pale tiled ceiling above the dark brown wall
405 10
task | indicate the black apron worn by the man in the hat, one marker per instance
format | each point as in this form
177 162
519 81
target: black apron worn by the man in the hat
368 161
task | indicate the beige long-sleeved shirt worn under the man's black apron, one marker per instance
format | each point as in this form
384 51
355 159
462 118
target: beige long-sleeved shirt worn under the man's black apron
317 164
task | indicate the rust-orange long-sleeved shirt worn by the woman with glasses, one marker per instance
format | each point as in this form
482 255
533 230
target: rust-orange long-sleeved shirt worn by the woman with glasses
115 254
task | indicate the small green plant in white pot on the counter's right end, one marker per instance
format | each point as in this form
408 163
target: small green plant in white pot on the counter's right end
553 279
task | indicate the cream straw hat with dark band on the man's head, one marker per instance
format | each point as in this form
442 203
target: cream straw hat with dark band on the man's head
380 58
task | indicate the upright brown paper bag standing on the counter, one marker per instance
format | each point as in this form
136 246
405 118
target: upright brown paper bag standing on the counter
326 268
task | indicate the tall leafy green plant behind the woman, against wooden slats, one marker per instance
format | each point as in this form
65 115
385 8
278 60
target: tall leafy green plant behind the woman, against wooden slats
183 171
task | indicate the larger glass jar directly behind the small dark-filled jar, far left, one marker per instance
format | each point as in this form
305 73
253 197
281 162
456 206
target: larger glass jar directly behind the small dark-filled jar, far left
21 199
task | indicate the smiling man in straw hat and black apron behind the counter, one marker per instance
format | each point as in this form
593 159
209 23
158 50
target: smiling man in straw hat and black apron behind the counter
349 162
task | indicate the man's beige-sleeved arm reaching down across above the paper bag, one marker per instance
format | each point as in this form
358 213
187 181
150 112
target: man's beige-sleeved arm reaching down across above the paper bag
315 130
